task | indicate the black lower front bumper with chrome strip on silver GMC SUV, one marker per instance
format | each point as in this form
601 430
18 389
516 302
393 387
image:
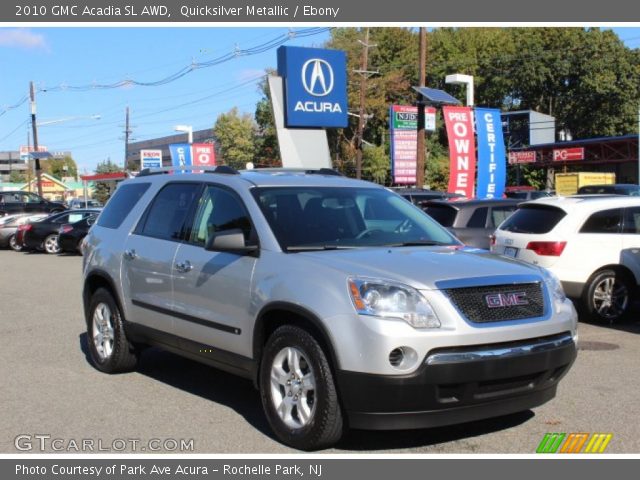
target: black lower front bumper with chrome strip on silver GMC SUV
457 385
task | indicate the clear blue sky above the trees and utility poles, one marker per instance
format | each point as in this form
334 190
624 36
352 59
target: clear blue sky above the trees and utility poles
56 58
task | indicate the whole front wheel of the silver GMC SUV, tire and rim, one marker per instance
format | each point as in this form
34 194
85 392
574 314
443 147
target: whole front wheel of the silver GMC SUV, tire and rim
298 391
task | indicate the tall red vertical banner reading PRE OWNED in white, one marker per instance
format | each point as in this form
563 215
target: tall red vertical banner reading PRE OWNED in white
462 150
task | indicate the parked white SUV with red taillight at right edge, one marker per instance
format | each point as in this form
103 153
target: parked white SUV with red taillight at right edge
592 243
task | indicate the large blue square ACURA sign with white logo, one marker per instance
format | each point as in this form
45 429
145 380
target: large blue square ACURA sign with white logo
315 86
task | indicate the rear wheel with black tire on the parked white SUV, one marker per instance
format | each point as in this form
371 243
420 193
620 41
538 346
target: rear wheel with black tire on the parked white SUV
607 296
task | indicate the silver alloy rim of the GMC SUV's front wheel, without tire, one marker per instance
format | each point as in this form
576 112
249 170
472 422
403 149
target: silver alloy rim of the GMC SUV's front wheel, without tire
293 388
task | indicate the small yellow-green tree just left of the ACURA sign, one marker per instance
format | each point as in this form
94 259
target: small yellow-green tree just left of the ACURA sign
235 134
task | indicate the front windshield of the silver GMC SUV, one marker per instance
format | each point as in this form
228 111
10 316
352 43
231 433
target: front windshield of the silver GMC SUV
315 218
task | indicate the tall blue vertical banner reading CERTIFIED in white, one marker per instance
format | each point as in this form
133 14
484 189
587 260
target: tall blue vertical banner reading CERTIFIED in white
492 166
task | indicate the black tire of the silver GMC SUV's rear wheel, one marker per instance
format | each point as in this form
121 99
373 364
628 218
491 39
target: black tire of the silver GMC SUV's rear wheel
122 355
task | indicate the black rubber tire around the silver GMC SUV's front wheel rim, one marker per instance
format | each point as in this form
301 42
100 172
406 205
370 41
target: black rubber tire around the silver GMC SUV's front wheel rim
325 425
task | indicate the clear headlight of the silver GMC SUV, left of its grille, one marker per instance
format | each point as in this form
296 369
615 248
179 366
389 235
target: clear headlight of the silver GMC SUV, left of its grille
381 298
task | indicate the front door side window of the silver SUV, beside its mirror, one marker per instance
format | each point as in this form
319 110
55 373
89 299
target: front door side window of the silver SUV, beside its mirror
219 210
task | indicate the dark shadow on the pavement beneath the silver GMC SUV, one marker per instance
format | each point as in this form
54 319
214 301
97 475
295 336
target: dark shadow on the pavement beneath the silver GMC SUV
239 395
